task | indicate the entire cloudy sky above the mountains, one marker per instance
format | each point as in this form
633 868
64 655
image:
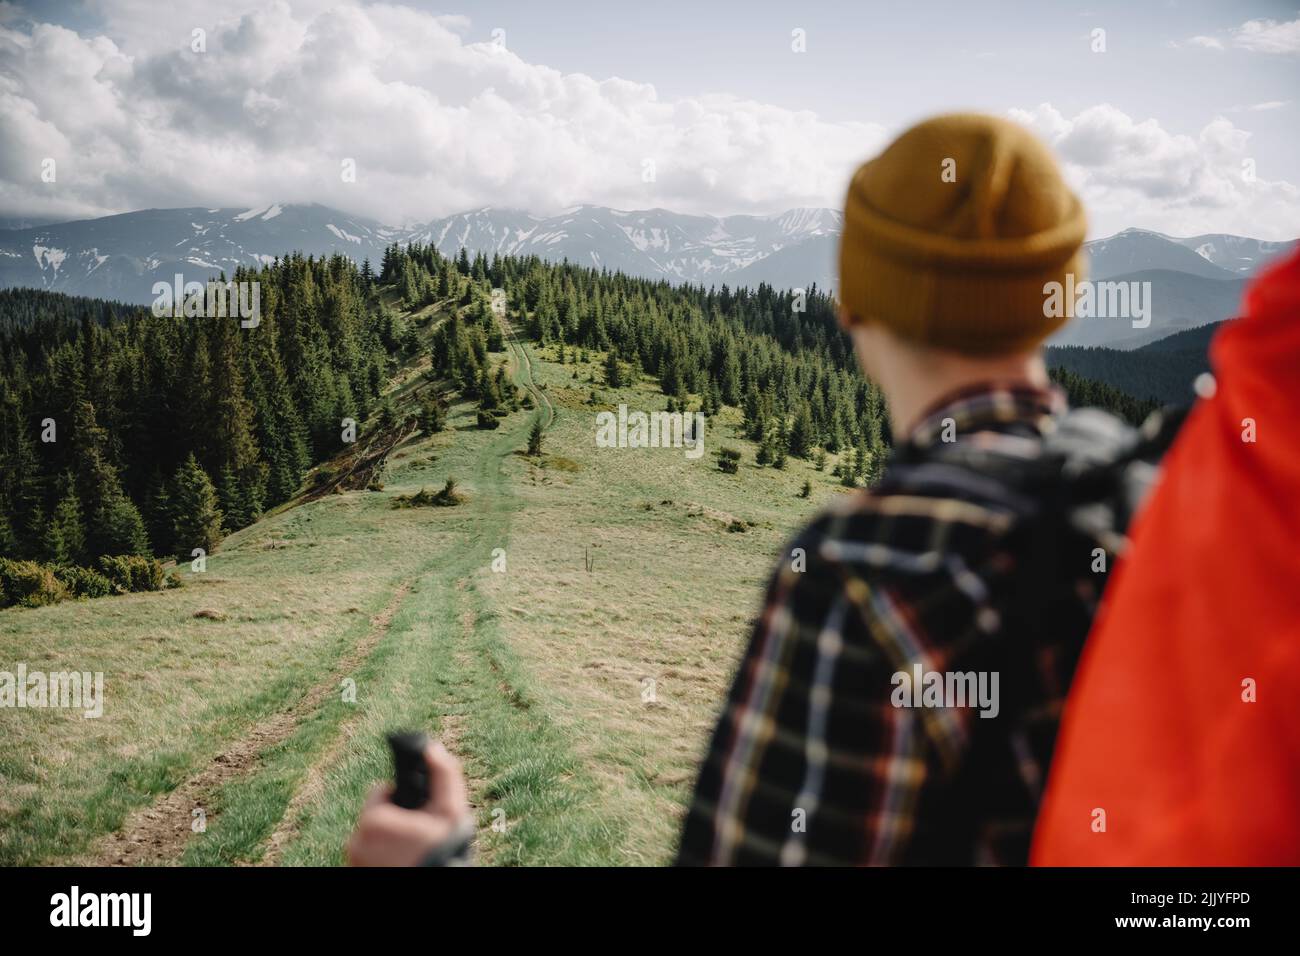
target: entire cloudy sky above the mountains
1186 123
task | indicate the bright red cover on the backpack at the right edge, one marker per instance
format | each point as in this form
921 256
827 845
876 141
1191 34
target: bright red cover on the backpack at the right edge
1159 730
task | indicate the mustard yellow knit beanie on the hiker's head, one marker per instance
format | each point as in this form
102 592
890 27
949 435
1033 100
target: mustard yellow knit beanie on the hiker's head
951 235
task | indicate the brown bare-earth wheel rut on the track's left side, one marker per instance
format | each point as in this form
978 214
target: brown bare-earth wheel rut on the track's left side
158 834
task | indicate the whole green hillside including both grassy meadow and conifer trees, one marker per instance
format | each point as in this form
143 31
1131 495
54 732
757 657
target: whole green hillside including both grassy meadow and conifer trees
566 618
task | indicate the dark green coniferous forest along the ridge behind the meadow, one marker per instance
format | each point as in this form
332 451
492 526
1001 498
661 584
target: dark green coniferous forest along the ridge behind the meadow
128 438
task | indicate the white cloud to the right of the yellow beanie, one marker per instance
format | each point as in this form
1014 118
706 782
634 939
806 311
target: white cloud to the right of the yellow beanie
1138 174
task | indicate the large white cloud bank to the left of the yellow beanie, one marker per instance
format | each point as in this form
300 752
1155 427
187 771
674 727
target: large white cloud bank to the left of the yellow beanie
435 124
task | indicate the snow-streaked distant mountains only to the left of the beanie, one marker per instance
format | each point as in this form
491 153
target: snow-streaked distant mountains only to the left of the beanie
122 257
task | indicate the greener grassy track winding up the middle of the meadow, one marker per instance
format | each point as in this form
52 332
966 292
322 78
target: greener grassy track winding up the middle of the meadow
445 669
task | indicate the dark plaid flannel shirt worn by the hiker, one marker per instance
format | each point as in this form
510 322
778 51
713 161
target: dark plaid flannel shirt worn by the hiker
812 763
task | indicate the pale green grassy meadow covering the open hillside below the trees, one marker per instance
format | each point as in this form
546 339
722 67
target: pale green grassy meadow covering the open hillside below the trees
578 699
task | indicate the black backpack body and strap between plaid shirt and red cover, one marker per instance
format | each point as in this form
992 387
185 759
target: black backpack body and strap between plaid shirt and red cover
1077 495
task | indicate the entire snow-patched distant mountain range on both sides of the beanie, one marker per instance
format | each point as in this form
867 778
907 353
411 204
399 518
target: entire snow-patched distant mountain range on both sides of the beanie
1195 282
